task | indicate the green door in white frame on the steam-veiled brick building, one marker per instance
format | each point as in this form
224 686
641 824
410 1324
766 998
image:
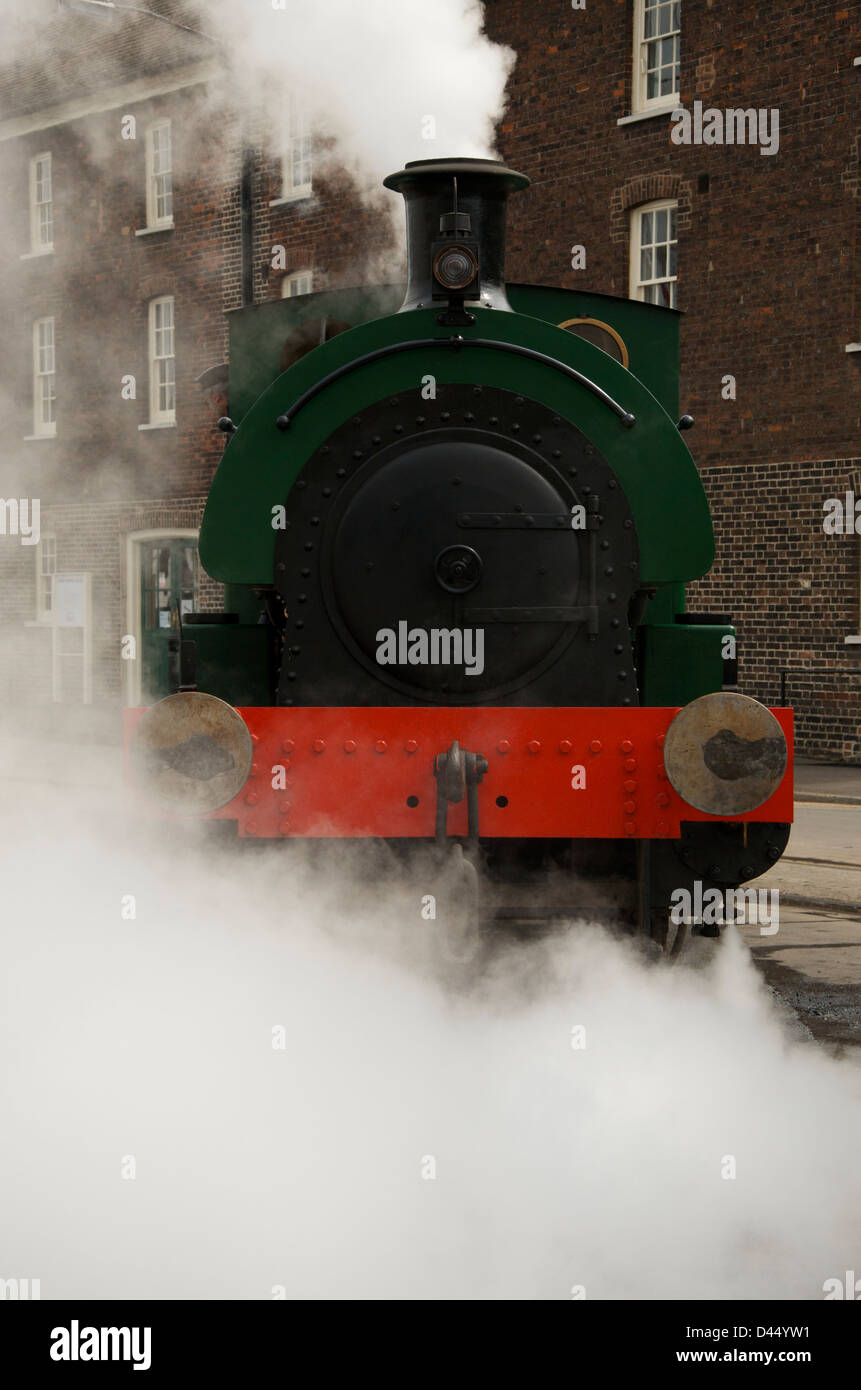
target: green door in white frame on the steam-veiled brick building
168 590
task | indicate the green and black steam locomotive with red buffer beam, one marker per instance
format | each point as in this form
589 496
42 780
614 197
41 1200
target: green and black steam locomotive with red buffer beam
456 537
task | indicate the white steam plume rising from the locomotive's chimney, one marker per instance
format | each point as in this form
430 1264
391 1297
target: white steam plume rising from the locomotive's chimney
387 80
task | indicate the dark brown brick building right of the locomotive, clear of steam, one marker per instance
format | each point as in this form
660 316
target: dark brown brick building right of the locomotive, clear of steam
769 279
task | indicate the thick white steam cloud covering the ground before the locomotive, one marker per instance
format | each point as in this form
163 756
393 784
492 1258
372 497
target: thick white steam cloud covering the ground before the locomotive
305 1167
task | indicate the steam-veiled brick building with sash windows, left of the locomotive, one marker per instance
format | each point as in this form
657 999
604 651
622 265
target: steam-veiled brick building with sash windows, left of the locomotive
141 209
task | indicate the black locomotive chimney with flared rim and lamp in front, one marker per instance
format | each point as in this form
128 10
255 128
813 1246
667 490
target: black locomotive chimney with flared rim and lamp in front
456 231
